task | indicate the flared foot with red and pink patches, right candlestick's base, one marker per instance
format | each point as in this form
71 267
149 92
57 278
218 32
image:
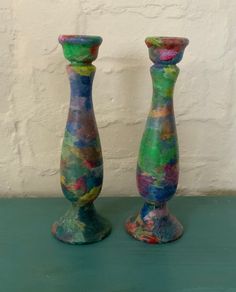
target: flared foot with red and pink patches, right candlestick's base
154 224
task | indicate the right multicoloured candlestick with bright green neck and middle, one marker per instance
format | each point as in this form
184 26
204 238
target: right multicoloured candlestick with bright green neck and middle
157 167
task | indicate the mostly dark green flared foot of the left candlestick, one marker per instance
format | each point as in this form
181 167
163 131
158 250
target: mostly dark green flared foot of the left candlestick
81 225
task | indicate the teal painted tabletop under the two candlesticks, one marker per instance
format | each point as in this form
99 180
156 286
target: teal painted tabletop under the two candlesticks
203 260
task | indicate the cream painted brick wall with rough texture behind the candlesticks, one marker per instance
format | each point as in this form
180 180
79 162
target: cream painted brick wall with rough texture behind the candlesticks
34 90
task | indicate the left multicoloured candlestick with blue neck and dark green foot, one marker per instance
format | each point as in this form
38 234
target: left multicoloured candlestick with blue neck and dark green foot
81 157
